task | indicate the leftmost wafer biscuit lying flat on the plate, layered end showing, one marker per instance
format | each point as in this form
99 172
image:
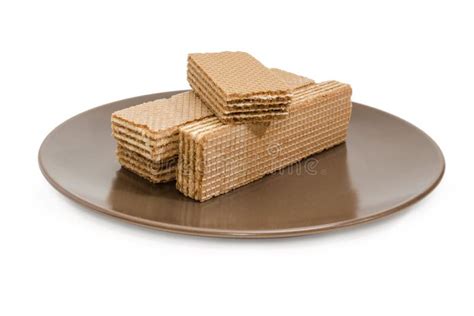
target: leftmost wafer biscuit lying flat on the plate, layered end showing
147 134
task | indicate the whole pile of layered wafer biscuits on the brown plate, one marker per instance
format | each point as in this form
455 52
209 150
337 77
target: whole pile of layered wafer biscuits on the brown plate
240 122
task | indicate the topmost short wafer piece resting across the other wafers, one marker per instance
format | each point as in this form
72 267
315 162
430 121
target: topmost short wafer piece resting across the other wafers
237 87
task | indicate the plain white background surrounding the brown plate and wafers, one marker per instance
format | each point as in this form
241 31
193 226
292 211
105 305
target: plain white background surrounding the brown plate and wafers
412 59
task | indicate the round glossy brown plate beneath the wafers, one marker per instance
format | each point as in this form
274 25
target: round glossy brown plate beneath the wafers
385 165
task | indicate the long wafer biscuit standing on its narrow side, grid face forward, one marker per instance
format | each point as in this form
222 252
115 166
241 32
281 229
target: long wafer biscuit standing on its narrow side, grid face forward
215 158
